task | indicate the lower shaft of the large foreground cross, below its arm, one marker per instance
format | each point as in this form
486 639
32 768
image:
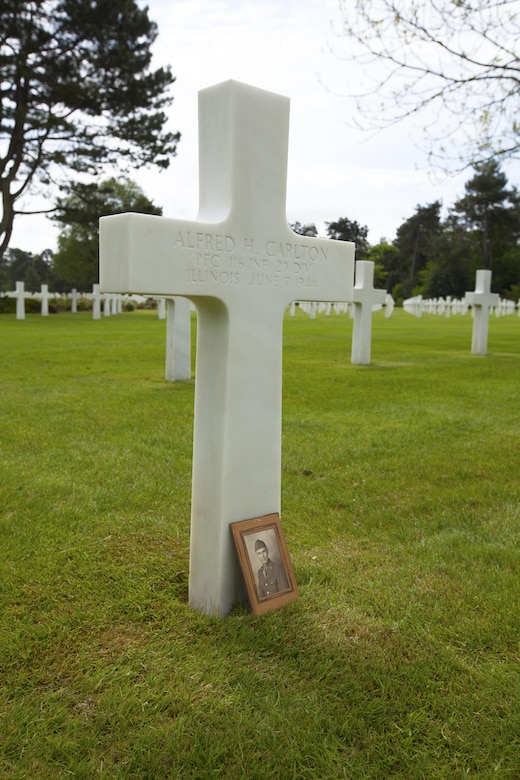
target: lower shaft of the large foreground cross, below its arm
236 445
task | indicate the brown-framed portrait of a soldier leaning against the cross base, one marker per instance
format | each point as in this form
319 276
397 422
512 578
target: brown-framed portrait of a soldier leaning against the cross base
265 563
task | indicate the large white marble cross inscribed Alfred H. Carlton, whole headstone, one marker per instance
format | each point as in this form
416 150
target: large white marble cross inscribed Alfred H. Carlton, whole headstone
241 265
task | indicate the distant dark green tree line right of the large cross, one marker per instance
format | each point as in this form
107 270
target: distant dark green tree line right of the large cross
437 257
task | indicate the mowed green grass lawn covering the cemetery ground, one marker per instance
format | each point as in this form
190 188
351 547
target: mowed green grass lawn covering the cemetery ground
400 506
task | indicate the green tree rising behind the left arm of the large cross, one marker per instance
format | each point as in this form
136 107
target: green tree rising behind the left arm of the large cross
76 263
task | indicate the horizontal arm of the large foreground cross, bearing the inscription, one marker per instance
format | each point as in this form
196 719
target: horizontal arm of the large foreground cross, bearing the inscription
152 255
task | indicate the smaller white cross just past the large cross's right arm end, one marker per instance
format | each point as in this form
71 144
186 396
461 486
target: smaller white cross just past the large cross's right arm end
364 297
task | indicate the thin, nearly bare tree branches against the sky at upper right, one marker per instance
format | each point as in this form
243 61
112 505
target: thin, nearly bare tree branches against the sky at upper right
454 62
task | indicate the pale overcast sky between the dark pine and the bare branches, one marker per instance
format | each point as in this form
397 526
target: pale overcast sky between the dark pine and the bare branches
283 46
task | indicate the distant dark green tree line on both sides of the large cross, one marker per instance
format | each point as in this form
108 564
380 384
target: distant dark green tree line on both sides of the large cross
430 255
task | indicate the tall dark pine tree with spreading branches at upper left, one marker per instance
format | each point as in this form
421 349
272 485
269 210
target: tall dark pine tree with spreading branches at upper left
76 93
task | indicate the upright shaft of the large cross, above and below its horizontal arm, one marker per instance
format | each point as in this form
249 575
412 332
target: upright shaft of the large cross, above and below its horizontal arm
240 136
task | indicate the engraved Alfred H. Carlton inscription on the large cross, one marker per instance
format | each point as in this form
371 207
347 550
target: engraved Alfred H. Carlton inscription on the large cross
224 260
